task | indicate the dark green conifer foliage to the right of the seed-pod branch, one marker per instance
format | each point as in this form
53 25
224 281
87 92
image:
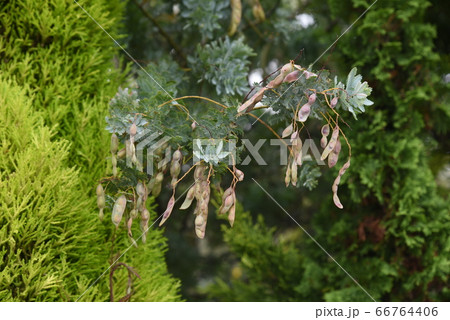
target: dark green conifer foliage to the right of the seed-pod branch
393 235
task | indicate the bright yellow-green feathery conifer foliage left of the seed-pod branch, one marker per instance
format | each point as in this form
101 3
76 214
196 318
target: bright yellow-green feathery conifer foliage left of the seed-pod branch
53 146
